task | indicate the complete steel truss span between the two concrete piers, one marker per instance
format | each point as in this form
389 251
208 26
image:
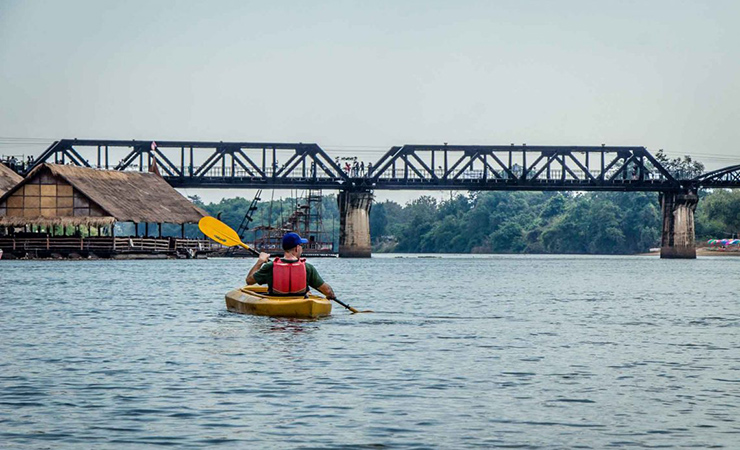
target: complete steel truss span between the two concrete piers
520 168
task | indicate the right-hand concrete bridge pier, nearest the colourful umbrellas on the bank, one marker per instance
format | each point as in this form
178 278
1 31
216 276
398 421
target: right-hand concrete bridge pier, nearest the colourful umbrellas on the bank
677 240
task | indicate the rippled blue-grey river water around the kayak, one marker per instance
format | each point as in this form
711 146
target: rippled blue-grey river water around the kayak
462 352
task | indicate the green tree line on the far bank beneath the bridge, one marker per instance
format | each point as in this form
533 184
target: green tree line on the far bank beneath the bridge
511 221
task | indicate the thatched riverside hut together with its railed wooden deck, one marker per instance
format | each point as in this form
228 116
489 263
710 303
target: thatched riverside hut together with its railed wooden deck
38 212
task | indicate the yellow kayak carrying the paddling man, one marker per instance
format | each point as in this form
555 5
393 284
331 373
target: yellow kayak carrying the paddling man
254 300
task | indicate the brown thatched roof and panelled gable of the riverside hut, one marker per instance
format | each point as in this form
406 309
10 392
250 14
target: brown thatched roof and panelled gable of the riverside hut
71 195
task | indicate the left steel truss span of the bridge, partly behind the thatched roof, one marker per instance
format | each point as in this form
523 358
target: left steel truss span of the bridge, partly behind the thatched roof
206 164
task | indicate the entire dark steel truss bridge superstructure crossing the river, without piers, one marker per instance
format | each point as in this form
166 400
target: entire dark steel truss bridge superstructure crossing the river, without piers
189 164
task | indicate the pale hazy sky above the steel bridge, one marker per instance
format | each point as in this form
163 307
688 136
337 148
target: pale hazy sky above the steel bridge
359 77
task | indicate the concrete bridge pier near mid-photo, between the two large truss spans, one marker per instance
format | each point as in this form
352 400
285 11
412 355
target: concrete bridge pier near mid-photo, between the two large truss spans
354 224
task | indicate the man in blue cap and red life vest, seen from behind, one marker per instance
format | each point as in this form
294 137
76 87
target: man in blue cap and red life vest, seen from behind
291 274
